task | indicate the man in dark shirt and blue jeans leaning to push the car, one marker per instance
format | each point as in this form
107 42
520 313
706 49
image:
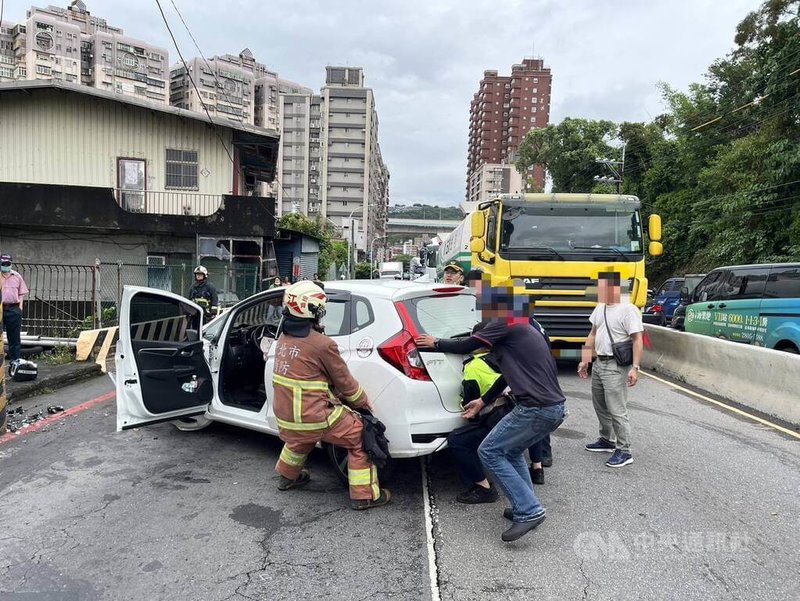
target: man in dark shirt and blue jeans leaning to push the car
525 361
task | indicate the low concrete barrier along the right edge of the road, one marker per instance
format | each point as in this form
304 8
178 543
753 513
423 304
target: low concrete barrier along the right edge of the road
762 379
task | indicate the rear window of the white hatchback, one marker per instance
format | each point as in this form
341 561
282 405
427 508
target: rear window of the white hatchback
444 316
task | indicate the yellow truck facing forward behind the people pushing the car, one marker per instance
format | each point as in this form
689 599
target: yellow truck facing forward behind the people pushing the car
553 246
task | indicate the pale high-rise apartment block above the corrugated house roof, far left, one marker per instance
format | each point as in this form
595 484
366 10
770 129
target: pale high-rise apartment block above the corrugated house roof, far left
71 45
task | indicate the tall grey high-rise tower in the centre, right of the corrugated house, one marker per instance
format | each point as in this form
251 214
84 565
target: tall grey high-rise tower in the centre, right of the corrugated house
330 160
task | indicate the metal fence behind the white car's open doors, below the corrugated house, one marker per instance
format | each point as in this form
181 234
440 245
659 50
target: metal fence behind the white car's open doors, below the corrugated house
65 299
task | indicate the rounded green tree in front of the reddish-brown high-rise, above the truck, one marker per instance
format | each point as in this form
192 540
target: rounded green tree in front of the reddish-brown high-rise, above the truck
569 152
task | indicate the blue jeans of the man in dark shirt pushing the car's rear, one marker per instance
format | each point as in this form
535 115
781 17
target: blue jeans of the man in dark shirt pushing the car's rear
502 454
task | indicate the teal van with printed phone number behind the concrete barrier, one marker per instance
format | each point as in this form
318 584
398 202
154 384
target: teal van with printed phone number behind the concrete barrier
752 304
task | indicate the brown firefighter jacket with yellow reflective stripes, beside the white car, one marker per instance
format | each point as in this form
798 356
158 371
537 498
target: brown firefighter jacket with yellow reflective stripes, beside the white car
309 379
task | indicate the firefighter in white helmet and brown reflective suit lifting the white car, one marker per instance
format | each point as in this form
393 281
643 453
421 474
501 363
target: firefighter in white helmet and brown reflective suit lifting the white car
313 395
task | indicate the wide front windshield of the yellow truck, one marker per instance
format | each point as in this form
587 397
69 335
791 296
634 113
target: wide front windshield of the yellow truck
555 232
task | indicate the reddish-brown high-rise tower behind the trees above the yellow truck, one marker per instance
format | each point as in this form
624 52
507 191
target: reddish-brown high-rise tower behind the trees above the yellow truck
503 110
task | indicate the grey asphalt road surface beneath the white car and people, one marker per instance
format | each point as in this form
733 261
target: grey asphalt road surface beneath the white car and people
709 510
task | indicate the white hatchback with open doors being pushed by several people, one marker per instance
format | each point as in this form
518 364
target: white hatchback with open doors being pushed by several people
167 371
